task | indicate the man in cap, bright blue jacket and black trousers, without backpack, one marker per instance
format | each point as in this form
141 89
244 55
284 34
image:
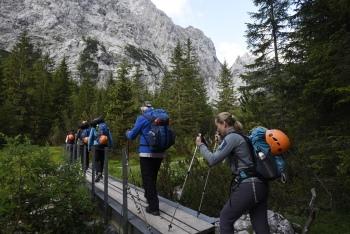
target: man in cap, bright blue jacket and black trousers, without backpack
149 161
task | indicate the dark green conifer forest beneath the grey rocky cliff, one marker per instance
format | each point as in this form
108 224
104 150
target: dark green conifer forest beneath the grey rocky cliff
299 83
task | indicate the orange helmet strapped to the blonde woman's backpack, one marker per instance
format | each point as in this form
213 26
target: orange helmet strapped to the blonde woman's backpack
278 141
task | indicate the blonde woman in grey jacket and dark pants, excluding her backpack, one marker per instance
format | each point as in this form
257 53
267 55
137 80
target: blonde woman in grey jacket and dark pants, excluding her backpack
251 193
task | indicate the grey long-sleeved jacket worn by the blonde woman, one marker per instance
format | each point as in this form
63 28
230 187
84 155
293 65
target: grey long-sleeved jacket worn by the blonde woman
230 145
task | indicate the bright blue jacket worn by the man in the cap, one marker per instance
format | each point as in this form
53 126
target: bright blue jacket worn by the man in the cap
142 127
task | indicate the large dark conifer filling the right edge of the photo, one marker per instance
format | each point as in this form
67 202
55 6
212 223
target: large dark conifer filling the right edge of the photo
319 64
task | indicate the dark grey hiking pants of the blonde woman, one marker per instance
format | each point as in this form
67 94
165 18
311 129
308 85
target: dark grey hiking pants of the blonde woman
250 196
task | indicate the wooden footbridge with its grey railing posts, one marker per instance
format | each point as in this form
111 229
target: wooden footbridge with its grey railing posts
122 205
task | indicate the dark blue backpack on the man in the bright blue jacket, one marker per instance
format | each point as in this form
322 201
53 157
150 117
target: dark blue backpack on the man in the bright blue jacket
161 136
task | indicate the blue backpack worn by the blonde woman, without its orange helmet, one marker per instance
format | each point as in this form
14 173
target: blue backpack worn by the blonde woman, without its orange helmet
267 166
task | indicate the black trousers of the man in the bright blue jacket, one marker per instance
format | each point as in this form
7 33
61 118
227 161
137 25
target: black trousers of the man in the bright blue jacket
149 173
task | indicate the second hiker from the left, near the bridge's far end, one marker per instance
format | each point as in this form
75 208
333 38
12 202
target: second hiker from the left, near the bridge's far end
82 137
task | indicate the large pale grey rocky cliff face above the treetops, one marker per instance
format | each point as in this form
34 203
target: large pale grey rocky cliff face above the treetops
135 29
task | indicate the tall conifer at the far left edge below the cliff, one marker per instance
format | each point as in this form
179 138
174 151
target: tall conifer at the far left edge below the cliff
17 87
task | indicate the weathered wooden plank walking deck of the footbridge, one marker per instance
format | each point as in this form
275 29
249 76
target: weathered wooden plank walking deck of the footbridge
182 222
